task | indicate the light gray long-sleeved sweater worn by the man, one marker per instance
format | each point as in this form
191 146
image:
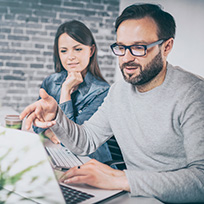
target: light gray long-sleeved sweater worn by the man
160 133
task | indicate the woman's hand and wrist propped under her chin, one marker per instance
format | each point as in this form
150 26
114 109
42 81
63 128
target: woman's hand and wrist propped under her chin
70 84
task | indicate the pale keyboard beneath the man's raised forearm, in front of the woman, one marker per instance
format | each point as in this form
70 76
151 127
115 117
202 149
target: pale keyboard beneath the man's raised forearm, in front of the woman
62 157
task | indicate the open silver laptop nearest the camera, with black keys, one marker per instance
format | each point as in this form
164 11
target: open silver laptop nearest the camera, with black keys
26 171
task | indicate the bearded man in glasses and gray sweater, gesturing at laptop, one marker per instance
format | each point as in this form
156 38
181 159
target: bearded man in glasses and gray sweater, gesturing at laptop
156 115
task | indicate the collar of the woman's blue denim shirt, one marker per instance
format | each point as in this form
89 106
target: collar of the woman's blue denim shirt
83 87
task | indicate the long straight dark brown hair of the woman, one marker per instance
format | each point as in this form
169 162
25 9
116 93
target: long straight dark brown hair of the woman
79 32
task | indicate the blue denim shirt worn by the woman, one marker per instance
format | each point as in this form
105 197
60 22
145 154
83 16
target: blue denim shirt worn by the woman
83 104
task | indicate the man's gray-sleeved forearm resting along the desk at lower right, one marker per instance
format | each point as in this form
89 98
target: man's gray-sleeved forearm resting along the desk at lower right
181 186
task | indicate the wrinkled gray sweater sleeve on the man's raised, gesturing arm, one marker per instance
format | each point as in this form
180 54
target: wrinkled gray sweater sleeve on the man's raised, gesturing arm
86 138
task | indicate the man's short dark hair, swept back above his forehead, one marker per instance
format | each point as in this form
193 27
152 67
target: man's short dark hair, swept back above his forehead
165 21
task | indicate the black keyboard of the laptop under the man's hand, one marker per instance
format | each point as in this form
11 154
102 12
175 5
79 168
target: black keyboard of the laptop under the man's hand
74 196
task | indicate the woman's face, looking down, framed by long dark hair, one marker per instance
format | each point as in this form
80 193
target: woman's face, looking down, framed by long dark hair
74 56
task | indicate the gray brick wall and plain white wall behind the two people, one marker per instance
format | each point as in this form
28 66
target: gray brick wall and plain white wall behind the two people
27 30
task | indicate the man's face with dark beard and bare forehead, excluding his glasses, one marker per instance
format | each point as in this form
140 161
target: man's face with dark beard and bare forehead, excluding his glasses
139 70
